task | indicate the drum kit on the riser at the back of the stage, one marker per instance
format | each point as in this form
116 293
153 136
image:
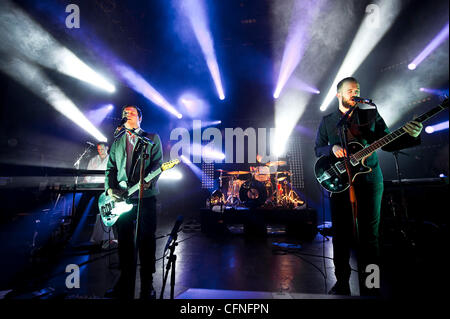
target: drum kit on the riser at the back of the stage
259 187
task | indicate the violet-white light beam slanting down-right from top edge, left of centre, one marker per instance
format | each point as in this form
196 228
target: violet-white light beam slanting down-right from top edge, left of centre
196 12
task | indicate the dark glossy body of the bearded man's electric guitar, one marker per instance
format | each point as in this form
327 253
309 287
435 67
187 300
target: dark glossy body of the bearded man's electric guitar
333 179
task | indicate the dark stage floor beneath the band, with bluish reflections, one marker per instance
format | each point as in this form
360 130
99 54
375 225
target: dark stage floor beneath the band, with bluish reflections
215 266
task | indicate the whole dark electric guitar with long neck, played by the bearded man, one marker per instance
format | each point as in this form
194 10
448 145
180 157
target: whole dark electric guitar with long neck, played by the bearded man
331 172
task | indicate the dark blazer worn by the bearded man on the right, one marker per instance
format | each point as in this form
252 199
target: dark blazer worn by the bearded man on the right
367 127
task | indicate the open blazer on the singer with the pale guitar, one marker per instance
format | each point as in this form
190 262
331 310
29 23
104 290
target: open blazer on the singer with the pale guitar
116 168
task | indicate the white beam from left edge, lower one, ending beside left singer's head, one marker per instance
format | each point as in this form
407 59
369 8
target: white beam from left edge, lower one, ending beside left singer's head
35 80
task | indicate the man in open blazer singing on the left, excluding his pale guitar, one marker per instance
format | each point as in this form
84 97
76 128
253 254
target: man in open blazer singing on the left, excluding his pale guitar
123 168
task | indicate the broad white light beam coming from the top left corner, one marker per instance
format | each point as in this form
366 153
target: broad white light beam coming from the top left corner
21 36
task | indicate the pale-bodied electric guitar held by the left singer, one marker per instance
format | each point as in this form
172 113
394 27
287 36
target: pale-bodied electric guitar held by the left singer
111 210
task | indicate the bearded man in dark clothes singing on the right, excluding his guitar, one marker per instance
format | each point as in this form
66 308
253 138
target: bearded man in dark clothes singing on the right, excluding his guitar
364 126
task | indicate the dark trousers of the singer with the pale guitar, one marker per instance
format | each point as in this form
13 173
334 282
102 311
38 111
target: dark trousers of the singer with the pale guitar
146 246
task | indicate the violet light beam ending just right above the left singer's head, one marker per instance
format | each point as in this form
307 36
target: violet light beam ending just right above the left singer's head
140 85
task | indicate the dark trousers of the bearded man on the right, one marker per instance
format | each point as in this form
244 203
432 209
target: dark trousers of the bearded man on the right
368 197
